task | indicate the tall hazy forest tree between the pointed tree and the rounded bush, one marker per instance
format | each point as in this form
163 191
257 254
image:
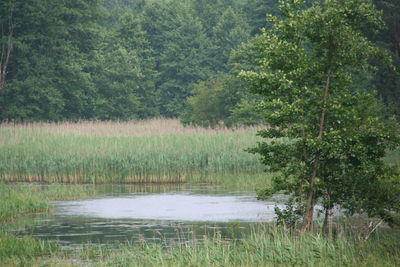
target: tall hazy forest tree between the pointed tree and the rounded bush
180 45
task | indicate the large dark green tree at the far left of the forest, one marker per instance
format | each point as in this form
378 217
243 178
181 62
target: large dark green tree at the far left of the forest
49 69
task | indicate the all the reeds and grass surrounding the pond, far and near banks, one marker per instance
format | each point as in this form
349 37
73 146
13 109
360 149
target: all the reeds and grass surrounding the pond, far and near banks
120 153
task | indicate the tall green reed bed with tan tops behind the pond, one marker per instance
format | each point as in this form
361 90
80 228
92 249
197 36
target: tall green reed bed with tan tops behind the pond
159 150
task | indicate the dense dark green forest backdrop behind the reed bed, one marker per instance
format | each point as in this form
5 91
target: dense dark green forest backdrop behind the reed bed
136 59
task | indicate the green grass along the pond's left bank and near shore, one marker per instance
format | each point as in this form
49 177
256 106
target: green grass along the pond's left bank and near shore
267 245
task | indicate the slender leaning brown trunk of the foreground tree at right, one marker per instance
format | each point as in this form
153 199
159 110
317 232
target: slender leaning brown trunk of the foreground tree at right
309 212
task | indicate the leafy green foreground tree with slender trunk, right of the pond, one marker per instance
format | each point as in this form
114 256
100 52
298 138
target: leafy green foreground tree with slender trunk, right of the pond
326 141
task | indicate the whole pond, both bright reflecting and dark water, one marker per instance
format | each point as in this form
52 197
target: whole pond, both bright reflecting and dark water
177 213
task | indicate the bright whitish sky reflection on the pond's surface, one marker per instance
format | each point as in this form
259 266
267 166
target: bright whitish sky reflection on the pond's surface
176 207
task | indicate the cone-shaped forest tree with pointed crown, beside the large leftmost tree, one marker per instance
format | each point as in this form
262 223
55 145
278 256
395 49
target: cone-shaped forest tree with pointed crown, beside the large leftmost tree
125 74
